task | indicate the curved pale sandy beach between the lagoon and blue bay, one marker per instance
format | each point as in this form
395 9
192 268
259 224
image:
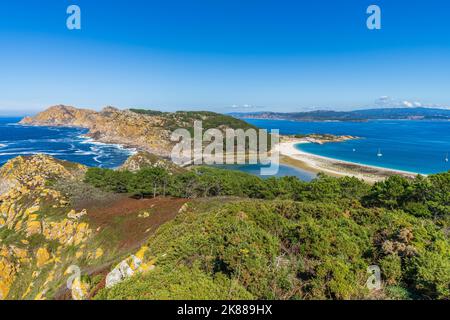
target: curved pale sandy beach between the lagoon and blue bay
292 156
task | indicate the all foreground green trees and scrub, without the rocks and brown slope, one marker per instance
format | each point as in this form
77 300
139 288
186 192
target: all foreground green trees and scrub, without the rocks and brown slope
300 241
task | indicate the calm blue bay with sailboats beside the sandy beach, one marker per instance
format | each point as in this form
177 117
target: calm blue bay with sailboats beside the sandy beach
409 145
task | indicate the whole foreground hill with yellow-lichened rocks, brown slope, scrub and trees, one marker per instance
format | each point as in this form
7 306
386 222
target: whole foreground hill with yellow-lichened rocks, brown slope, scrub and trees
209 233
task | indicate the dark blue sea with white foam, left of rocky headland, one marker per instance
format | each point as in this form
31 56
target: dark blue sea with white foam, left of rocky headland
62 143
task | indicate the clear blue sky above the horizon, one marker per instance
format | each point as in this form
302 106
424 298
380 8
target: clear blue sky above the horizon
233 55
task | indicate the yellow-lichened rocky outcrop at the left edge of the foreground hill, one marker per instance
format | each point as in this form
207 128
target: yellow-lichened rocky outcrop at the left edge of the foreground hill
34 238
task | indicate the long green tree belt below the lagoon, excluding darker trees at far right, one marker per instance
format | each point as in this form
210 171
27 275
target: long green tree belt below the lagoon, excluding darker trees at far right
212 182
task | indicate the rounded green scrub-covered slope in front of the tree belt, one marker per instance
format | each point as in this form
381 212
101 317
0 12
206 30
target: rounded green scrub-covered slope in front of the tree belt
291 250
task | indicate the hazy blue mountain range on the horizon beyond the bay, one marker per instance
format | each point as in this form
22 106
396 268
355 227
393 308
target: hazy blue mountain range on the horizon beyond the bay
357 115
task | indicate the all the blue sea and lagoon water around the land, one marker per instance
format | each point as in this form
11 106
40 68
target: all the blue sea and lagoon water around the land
416 146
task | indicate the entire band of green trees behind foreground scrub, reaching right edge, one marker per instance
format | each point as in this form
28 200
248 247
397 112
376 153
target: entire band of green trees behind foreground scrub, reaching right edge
422 197
